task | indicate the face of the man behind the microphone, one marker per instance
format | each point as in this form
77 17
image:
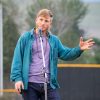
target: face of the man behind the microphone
43 22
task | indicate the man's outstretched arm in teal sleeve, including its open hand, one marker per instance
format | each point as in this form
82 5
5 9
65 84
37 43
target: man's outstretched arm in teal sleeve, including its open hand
66 53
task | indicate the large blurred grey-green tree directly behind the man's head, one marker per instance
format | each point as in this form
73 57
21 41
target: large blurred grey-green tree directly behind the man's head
67 15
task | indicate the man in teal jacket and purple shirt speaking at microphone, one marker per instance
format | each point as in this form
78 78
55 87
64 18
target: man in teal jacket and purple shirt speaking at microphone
27 65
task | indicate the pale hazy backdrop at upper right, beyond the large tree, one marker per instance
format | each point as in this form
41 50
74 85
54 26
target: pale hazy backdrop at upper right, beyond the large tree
91 22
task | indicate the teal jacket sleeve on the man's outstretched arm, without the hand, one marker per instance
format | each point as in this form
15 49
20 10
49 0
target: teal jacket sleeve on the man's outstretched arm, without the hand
66 53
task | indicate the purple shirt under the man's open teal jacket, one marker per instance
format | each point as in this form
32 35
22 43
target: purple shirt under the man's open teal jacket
36 66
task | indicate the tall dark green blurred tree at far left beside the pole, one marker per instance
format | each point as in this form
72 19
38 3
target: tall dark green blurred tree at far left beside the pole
10 35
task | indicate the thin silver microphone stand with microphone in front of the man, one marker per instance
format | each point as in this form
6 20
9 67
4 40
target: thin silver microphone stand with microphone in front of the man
44 67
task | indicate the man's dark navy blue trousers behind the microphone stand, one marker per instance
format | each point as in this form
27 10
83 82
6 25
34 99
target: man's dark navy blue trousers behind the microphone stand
36 91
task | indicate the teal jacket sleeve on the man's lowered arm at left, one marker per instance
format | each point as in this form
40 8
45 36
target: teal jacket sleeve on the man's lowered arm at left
17 62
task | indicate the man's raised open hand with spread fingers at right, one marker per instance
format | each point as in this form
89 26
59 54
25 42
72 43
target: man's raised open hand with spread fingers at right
86 45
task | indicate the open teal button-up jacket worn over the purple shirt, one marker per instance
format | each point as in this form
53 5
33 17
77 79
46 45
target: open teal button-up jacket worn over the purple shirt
23 54
